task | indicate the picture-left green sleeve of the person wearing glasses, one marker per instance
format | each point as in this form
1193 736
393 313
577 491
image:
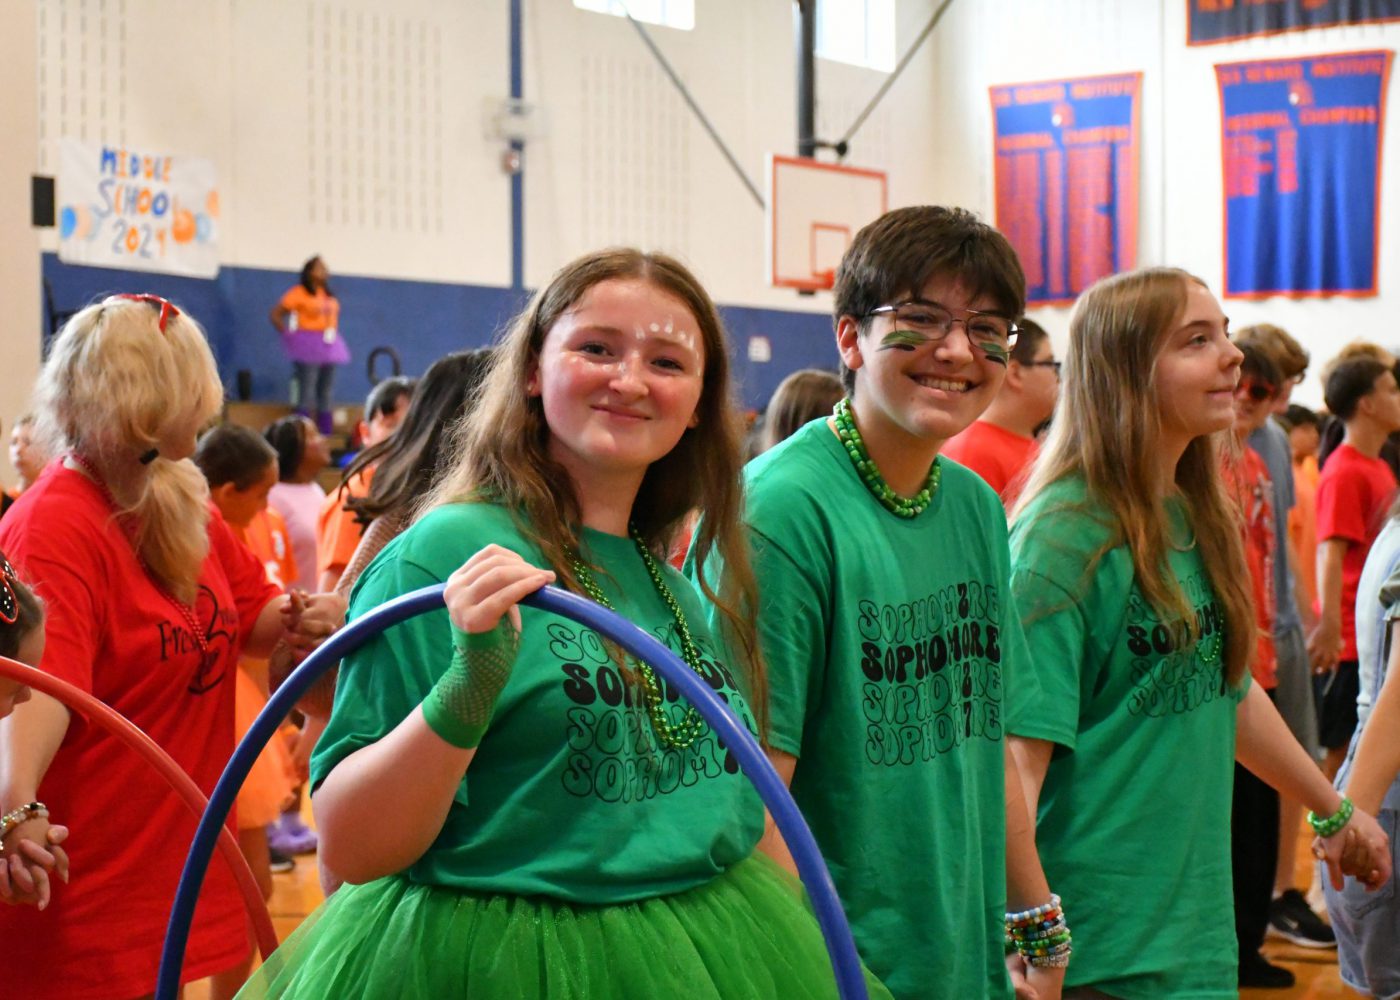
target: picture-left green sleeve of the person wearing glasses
793 635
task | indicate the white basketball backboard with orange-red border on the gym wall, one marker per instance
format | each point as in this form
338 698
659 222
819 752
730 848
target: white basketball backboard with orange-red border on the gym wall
814 209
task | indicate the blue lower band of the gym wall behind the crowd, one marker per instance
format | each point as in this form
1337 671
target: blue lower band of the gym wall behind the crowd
421 320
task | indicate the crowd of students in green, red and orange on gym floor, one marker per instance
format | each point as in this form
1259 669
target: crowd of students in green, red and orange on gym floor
1041 730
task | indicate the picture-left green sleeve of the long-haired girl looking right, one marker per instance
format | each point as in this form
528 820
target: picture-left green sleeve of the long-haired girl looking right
1056 635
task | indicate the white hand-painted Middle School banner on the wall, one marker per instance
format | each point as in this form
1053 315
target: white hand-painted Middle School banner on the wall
138 211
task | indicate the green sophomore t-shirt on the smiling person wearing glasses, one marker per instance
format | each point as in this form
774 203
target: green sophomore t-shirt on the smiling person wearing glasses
895 656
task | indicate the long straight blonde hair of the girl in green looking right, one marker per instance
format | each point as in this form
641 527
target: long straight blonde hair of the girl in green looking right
1108 432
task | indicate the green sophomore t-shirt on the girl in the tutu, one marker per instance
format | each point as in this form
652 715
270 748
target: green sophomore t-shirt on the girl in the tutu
569 795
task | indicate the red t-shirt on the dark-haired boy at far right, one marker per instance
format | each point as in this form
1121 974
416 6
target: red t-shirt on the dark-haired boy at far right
1353 496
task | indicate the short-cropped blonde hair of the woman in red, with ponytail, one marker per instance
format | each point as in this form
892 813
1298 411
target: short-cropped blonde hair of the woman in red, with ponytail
113 389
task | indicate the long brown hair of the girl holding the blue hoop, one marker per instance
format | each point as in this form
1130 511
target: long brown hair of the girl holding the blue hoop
503 450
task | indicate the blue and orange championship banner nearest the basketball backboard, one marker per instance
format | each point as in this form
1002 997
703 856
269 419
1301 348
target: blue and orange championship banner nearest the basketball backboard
1067 180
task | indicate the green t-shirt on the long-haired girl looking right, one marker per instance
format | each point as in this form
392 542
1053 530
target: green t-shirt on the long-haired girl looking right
1135 814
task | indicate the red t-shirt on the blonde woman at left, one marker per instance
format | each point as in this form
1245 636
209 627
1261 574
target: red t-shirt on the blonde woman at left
115 635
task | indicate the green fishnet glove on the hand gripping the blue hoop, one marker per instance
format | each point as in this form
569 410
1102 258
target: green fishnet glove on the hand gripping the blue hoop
461 704
